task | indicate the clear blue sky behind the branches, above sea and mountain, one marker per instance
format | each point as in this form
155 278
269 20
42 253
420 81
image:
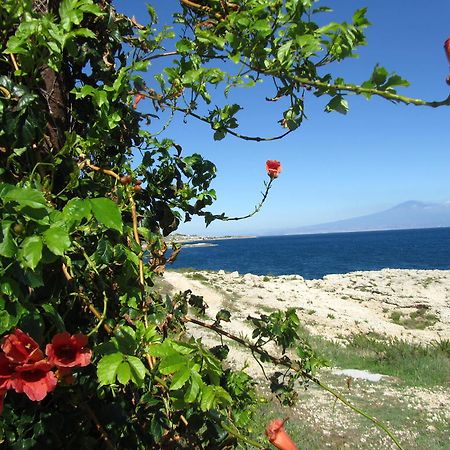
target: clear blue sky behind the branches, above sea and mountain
334 166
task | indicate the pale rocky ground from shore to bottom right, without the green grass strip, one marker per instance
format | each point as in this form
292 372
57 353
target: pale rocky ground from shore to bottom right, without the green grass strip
413 305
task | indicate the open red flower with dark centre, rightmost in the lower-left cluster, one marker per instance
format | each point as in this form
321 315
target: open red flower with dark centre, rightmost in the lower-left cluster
68 351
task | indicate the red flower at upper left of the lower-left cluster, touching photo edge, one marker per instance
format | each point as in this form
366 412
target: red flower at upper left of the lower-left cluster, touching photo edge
21 348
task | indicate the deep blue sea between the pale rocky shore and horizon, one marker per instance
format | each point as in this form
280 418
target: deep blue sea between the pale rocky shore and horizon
314 256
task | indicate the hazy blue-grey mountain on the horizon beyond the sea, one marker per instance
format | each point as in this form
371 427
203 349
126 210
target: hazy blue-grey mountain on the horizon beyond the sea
407 215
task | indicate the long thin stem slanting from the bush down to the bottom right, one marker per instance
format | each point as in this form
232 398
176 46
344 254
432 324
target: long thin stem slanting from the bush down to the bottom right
290 365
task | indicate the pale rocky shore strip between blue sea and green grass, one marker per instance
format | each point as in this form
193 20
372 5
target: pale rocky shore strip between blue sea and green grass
412 305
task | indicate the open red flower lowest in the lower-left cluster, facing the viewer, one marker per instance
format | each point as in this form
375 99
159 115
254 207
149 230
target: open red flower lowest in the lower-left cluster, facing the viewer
34 380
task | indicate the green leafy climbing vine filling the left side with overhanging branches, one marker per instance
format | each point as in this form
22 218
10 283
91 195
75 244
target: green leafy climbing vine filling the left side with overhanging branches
77 204
